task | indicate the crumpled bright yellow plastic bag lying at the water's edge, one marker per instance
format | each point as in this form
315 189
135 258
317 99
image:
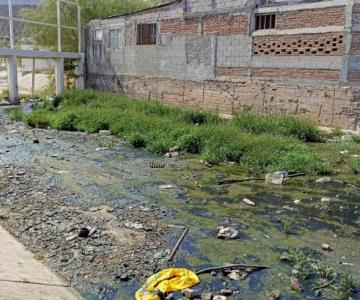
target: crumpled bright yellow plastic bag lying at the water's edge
166 281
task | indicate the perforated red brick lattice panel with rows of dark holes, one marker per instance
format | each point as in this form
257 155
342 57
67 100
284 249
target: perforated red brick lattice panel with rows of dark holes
330 44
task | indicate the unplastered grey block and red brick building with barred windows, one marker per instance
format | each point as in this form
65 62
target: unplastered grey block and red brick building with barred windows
272 56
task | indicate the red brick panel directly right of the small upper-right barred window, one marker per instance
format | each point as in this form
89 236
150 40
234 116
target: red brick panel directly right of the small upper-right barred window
330 16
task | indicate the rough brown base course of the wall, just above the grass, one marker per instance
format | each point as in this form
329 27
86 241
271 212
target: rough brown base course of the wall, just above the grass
330 105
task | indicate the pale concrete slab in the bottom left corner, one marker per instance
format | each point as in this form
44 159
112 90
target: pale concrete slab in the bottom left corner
23 277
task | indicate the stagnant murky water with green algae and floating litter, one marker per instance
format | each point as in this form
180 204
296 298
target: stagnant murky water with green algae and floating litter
120 174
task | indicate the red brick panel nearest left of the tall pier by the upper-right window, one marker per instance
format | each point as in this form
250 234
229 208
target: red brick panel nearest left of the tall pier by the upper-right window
225 24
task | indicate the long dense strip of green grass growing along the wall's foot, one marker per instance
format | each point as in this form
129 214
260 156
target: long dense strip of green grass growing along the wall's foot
258 143
